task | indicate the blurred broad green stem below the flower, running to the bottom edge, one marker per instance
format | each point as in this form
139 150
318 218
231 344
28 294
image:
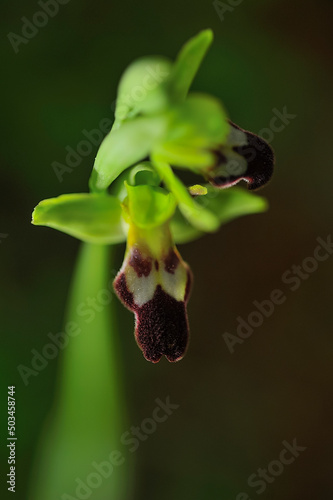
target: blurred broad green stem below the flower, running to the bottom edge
86 425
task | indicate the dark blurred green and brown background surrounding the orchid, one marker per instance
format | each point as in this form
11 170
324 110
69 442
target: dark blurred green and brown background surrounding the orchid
234 409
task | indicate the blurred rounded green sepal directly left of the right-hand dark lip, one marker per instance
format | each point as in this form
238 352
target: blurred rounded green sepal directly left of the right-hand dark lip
196 128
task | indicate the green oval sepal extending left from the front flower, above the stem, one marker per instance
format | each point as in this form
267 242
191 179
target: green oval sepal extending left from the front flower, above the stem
89 217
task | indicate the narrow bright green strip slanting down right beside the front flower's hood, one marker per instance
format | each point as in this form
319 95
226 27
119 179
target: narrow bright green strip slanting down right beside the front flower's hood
197 215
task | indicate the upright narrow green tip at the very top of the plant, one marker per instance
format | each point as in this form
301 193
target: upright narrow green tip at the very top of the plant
187 64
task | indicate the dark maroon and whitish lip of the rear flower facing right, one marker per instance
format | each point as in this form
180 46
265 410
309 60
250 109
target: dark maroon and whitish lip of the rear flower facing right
247 157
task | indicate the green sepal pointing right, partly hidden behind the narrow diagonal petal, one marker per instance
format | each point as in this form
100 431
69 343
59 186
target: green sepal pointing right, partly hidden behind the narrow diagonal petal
226 204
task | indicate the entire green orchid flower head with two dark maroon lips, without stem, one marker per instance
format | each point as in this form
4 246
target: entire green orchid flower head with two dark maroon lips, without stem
136 196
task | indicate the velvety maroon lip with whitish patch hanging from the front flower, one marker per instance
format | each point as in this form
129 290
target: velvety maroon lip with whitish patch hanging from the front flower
156 288
